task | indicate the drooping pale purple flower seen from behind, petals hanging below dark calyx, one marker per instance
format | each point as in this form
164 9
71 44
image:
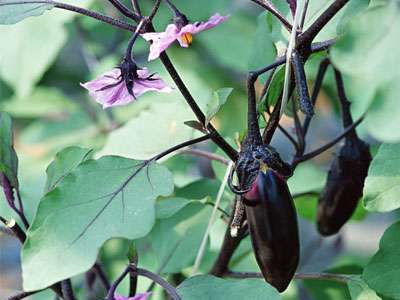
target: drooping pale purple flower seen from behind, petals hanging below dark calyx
109 89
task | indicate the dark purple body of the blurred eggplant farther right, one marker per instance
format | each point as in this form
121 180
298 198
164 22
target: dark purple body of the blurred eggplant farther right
344 186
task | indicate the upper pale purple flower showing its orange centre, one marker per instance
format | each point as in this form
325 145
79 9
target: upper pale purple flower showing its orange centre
162 40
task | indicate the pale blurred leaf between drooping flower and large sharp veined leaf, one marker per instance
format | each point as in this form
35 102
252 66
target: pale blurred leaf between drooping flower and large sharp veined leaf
154 130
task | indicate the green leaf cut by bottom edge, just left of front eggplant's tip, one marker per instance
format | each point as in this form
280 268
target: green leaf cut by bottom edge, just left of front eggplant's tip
207 287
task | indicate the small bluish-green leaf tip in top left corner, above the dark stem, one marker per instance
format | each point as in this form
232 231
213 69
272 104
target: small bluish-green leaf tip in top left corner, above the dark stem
13 11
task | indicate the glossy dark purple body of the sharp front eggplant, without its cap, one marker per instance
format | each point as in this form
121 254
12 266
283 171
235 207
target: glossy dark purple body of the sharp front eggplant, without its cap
273 228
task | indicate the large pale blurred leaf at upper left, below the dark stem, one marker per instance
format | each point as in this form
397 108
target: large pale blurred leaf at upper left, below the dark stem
28 52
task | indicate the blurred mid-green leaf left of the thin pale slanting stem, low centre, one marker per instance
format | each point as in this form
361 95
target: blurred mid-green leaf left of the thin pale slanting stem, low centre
174 241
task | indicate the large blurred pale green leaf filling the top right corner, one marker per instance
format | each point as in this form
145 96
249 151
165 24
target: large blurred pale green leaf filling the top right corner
367 55
